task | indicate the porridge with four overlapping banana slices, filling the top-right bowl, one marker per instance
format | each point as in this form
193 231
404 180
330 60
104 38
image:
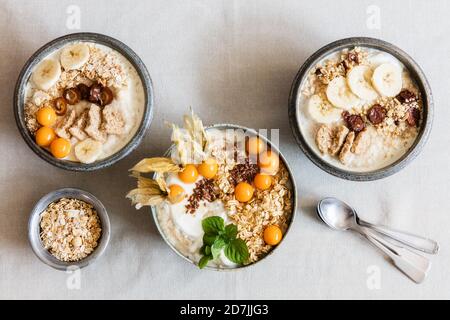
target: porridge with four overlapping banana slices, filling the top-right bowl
359 109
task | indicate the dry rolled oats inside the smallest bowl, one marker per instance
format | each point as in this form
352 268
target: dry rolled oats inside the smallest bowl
70 229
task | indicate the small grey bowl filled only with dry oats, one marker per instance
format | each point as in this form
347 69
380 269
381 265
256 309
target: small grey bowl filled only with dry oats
68 228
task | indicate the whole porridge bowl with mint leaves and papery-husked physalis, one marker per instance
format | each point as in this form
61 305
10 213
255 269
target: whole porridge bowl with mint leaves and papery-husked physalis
227 203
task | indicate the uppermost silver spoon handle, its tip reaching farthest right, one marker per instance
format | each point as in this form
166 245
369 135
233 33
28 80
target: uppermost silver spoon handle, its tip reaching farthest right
411 240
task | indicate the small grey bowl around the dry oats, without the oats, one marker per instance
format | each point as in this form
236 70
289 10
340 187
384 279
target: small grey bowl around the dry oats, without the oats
34 228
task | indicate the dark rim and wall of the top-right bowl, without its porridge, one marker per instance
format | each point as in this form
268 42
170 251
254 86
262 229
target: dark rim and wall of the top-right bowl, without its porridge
416 74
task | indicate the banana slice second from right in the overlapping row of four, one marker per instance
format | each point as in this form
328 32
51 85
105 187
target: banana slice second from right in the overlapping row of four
359 80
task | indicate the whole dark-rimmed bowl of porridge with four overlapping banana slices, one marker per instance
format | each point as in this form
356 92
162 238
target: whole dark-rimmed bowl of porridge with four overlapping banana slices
361 109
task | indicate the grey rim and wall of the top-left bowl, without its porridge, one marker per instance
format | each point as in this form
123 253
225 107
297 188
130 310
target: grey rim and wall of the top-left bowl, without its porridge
24 77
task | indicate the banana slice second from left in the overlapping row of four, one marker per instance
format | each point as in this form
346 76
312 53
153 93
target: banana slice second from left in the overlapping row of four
339 94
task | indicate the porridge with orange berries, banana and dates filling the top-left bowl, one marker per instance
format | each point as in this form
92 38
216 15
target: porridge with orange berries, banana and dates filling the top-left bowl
84 102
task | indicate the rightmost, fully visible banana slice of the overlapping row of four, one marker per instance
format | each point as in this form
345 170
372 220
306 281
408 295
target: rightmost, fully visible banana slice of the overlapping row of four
387 79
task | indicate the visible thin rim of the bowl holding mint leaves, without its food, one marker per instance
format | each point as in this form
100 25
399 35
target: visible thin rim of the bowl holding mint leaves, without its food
249 132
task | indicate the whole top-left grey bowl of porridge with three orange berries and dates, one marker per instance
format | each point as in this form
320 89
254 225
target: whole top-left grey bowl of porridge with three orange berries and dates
83 101
